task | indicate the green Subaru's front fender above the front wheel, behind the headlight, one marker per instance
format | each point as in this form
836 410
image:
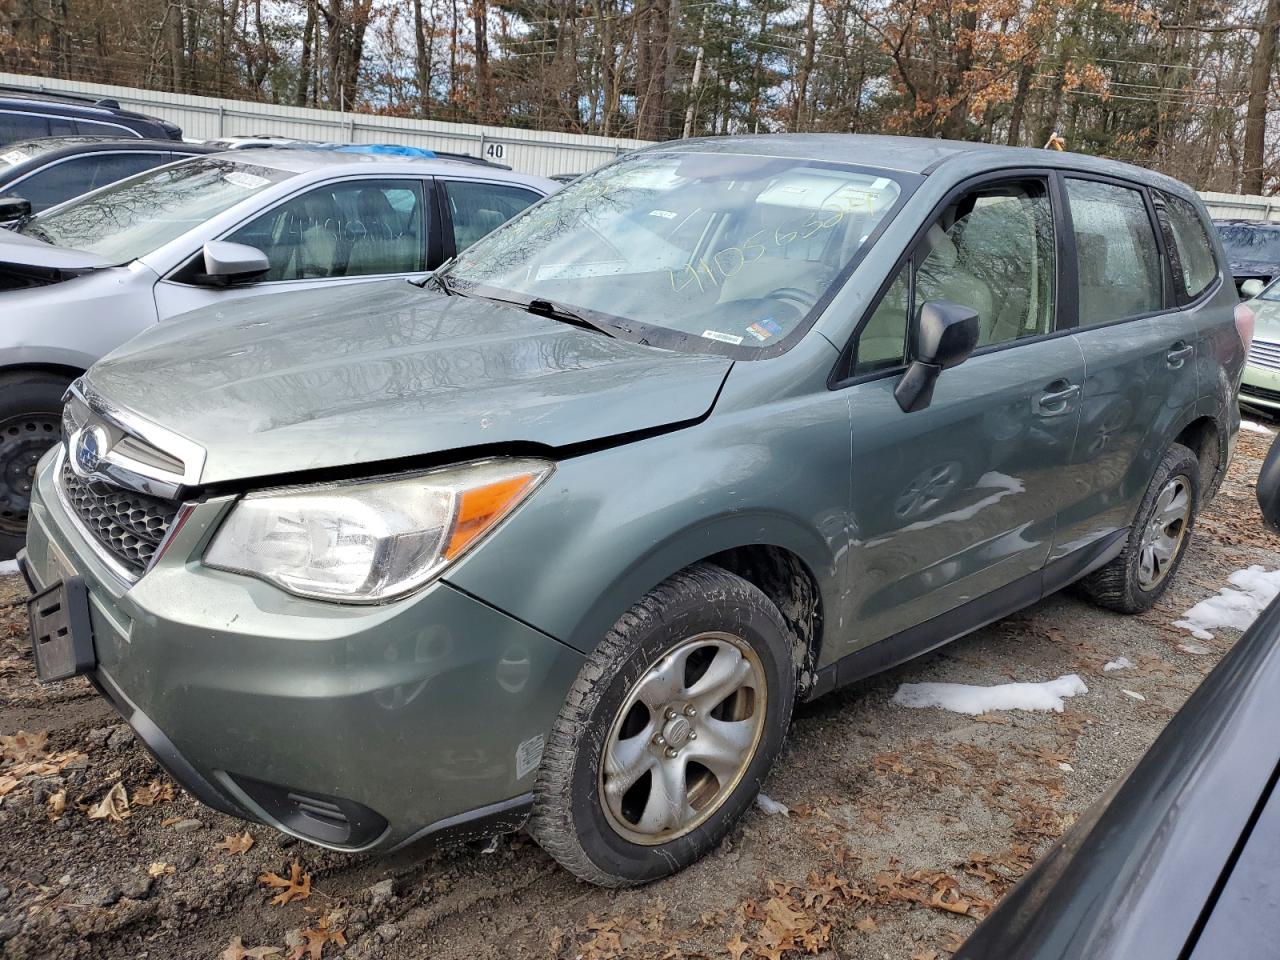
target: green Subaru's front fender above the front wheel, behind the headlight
611 525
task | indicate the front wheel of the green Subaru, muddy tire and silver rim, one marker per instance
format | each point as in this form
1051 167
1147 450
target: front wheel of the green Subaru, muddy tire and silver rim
701 612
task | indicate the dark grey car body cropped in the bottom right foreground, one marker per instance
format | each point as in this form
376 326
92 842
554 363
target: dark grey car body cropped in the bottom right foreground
1182 860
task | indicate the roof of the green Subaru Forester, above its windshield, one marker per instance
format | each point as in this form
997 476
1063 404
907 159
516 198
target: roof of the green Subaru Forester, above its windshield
915 156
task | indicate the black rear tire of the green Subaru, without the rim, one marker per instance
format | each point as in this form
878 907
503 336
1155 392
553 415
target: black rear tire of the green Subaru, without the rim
1124 583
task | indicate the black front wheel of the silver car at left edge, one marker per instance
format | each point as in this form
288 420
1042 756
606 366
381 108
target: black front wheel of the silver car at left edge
31 405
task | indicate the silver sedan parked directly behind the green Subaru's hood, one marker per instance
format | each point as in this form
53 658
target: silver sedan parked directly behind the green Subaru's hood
81 278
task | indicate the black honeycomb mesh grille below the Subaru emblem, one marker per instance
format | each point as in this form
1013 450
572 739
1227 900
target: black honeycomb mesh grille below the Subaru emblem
130 525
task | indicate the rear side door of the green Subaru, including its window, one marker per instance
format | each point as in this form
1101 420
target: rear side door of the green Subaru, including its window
1140 356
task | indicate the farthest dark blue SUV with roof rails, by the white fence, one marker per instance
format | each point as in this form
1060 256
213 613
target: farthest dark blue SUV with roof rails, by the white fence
28 115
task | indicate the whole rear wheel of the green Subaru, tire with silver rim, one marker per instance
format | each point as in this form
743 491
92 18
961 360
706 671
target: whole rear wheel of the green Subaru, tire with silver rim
1158 541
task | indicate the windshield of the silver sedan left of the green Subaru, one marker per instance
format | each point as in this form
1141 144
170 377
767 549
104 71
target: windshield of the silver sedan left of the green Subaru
136 217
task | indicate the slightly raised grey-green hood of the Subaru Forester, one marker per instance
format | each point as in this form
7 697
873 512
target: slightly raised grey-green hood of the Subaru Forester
367 373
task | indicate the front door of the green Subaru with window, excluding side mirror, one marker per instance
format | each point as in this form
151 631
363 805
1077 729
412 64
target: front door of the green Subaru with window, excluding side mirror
961 499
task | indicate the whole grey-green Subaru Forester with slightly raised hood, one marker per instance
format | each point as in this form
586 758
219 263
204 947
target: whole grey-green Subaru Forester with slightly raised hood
560 536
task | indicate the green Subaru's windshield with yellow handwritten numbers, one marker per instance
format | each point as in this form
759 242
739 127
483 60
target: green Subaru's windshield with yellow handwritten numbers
724 248
